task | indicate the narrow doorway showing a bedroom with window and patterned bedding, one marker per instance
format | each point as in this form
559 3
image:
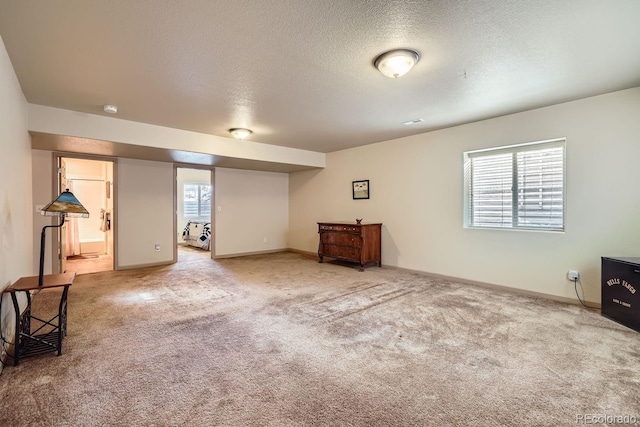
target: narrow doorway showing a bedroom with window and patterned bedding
194 215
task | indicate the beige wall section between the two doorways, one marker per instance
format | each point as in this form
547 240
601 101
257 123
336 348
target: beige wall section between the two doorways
145 213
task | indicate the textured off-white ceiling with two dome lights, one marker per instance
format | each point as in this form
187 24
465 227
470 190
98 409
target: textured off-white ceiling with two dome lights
299 72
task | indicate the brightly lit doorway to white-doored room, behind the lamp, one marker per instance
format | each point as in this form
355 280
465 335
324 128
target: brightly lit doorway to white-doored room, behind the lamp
87 244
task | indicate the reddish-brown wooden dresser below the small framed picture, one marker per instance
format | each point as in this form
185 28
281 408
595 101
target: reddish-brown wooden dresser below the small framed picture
350 242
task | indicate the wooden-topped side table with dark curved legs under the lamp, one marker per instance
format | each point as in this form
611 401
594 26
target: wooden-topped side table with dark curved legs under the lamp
31 343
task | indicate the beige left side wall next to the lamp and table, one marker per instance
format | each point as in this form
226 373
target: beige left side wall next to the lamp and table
16 241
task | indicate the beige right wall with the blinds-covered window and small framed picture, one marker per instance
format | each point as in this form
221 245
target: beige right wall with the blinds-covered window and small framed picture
416 192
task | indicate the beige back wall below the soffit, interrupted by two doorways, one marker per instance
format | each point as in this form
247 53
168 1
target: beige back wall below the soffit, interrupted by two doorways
255 206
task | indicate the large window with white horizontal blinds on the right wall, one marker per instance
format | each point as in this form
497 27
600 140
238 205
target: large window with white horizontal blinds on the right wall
519 186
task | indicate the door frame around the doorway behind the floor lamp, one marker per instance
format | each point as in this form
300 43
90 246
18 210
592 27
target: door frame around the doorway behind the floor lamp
56 249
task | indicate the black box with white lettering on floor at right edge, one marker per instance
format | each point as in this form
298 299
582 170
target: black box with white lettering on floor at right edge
621 291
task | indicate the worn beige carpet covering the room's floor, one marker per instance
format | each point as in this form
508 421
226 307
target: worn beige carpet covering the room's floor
283 340
